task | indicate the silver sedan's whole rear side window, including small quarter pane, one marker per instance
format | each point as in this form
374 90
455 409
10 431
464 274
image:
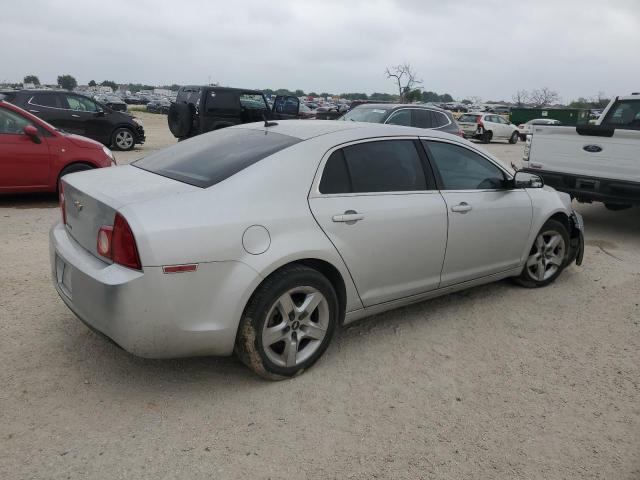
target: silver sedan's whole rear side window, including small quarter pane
381 166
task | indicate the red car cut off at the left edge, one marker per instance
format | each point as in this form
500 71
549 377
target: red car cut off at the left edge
35 155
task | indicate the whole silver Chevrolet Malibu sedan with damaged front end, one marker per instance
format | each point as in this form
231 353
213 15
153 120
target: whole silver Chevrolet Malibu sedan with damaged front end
261 239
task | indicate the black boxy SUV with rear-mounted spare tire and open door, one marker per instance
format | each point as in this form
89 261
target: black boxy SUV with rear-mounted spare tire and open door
200 109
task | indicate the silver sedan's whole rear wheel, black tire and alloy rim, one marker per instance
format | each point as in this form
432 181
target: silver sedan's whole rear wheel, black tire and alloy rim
288 323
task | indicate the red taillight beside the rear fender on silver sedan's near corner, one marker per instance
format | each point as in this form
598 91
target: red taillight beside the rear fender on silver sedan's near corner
118 243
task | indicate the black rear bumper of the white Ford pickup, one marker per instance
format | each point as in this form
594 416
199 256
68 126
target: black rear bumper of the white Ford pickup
589 189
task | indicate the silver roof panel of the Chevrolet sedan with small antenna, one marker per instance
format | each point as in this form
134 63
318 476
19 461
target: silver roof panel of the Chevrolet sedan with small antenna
306 129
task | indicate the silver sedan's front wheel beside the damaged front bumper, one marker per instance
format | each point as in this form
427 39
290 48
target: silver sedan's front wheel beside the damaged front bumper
548 256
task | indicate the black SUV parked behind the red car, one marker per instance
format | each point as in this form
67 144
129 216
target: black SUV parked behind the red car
80 115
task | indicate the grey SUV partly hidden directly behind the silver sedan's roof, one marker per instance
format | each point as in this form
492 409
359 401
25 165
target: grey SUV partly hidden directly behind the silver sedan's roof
410 115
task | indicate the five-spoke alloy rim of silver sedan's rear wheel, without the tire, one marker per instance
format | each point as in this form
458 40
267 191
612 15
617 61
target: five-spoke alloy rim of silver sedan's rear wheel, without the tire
296 326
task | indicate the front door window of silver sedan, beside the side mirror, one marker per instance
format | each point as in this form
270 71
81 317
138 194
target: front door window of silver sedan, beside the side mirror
462 169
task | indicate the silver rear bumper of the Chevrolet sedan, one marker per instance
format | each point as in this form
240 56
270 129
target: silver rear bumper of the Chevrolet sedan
148 313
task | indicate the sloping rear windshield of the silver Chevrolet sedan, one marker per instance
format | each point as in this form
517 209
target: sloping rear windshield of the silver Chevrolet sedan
213 157
